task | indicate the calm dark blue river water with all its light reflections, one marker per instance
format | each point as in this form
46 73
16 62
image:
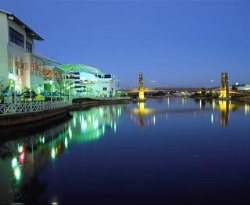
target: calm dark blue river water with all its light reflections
168 150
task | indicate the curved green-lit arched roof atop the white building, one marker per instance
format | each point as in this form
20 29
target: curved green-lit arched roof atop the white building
80 68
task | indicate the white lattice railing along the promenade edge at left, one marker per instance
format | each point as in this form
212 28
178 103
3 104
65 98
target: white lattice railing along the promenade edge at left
12 108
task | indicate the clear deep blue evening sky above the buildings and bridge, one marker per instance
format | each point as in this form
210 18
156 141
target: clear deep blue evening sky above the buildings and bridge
172 42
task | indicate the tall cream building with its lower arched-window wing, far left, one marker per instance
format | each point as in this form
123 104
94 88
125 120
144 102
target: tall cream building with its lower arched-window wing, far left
21 68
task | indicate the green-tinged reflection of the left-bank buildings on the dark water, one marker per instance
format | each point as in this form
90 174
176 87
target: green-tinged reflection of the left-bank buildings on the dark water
22 159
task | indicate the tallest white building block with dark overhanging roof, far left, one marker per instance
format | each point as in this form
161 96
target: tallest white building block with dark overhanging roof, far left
17 47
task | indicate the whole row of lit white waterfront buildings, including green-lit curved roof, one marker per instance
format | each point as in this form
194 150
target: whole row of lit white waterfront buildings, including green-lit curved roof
22 69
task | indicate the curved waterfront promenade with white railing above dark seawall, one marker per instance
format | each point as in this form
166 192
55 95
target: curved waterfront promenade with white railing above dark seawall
19 113
